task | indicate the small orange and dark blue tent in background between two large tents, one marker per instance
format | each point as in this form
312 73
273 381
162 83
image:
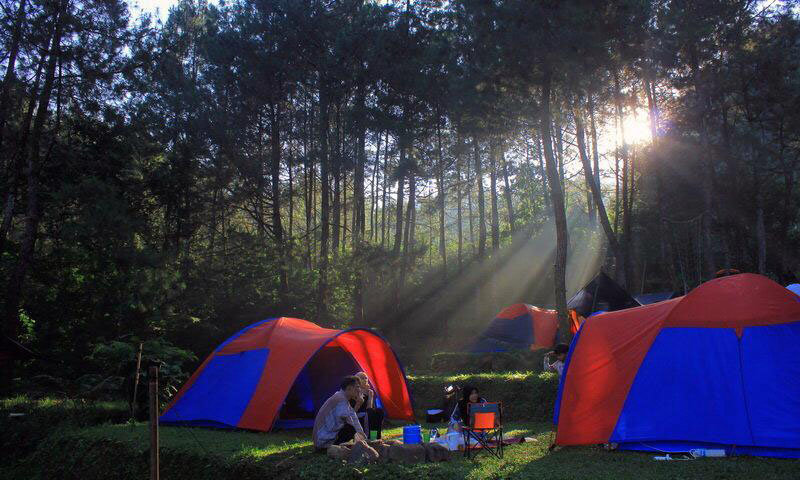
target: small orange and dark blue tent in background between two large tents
518 327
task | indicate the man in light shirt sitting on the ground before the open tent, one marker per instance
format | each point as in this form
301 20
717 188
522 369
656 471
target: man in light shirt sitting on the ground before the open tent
336 421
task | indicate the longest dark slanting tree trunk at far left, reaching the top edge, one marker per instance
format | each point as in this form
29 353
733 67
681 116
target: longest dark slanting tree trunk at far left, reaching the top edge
34 159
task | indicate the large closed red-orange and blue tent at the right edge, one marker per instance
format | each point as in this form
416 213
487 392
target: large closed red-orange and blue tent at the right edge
716 368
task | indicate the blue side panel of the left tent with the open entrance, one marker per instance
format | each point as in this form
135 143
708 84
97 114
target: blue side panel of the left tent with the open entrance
230 380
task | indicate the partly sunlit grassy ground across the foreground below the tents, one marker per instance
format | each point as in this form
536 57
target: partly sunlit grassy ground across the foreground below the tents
120 451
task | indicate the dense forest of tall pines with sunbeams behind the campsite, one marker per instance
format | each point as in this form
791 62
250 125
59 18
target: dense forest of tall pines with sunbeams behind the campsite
407 166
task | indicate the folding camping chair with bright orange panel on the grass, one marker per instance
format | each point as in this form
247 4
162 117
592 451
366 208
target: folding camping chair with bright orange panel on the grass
485 427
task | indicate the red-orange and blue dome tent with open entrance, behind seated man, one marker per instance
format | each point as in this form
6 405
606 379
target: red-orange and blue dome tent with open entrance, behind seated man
278 372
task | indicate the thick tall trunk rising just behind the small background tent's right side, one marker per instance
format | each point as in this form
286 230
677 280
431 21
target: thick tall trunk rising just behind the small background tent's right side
562 238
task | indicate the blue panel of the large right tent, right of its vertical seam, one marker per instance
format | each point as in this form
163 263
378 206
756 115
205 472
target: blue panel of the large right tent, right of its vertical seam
771 378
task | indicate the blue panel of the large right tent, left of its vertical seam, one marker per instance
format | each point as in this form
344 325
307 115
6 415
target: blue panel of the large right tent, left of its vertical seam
688 388
